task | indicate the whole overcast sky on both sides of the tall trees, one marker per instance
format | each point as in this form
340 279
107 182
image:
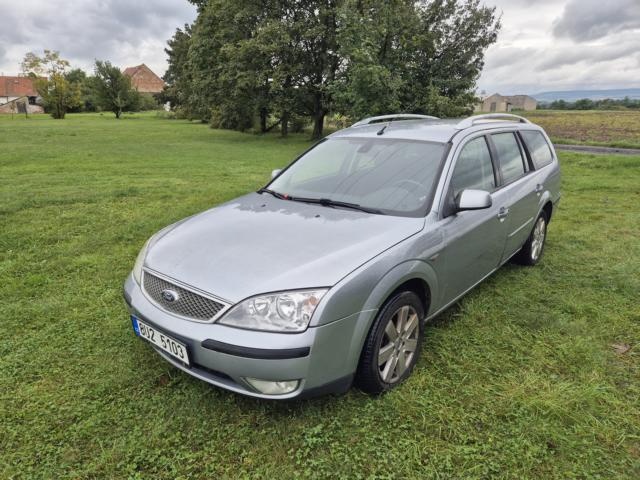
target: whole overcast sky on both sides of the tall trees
543 45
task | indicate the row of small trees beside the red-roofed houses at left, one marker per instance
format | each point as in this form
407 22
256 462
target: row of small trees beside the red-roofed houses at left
62 89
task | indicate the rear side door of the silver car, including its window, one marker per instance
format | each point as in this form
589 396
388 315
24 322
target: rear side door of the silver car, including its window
519 184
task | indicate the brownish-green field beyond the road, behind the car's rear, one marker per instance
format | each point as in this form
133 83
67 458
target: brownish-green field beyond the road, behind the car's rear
599 128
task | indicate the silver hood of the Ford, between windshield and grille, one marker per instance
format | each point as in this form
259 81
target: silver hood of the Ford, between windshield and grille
257 244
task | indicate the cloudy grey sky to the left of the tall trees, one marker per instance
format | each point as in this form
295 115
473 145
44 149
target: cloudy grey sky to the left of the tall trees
126 32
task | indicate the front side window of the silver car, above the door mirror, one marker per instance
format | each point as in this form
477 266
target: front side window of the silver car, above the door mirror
473 168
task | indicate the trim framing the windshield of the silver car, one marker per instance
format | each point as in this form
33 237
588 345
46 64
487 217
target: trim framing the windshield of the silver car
424 209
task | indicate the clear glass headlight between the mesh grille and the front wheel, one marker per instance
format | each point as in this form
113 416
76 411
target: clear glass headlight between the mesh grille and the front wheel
275 312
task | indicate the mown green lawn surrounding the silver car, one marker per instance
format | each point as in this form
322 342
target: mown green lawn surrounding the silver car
535 374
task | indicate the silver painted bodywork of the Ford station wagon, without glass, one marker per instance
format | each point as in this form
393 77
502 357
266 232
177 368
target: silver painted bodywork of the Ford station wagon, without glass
258 244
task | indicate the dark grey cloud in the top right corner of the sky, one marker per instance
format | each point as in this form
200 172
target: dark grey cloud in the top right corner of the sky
584 20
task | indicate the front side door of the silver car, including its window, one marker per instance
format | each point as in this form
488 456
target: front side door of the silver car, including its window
474 240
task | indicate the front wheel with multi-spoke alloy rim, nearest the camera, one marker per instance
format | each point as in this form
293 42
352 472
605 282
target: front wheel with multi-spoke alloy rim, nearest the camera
393 345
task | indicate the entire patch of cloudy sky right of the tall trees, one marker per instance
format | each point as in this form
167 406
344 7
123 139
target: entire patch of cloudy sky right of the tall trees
564 45
